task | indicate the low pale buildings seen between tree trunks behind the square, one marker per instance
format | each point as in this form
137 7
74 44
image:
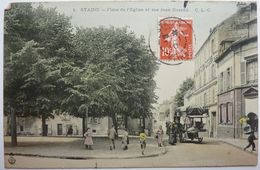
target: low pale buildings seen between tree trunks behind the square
60 124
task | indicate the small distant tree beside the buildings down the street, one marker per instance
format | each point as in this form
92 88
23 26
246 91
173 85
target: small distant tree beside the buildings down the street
184 87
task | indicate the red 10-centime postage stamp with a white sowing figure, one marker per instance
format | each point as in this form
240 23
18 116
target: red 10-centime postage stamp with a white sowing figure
175 39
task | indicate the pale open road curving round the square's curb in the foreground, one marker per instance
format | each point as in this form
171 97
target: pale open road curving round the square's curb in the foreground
209 154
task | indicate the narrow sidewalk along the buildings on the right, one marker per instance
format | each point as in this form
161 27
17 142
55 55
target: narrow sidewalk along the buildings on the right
238 143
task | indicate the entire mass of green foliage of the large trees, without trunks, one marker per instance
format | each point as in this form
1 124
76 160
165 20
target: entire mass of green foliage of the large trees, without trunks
48 68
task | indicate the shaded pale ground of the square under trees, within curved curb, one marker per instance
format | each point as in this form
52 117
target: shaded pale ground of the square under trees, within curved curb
73 148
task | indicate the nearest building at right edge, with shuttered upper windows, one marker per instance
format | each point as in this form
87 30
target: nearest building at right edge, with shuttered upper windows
238 79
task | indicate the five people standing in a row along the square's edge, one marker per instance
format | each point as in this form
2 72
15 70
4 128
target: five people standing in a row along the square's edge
125 138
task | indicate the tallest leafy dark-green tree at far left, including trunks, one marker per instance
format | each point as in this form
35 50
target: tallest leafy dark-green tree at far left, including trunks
37 43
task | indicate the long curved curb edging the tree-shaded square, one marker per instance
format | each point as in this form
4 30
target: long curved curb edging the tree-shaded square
86 158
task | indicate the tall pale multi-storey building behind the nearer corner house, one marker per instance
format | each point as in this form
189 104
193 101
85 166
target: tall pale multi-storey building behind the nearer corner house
205 91
